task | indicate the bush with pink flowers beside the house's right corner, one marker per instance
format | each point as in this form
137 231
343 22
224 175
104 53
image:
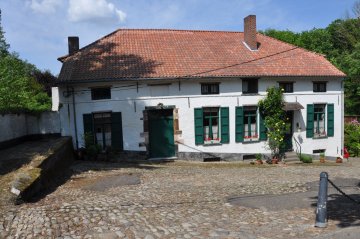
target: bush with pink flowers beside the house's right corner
352 138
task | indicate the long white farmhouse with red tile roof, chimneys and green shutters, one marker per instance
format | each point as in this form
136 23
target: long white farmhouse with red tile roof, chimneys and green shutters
194 94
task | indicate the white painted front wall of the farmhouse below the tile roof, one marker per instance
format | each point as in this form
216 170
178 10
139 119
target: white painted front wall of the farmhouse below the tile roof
131 99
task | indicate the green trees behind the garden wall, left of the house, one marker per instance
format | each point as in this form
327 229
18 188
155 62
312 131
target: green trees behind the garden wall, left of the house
21 87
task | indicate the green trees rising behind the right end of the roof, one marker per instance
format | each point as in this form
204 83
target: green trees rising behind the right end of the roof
340 43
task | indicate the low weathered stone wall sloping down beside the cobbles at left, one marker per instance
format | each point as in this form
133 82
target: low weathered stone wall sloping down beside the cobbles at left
43 170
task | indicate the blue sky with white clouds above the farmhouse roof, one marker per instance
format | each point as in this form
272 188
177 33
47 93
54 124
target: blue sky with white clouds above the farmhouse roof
38 29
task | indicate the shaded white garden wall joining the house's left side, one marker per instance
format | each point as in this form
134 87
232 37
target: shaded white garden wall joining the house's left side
15 128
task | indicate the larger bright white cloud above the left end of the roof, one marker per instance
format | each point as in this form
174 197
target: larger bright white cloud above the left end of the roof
86 10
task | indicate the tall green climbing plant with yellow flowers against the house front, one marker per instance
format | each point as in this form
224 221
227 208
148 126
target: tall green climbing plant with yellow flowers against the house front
271 107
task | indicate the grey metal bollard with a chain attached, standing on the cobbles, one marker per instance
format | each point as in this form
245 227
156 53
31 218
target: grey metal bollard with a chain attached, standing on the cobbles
321 209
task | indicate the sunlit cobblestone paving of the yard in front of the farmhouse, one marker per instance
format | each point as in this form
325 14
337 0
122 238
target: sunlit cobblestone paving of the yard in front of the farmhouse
175 200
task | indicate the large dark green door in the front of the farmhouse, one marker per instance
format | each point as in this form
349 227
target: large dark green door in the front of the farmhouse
161 133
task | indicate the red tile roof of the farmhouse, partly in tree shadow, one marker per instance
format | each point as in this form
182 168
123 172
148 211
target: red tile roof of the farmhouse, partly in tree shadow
129 54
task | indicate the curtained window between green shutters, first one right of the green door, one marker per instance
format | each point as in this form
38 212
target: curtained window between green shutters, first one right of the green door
211 125
